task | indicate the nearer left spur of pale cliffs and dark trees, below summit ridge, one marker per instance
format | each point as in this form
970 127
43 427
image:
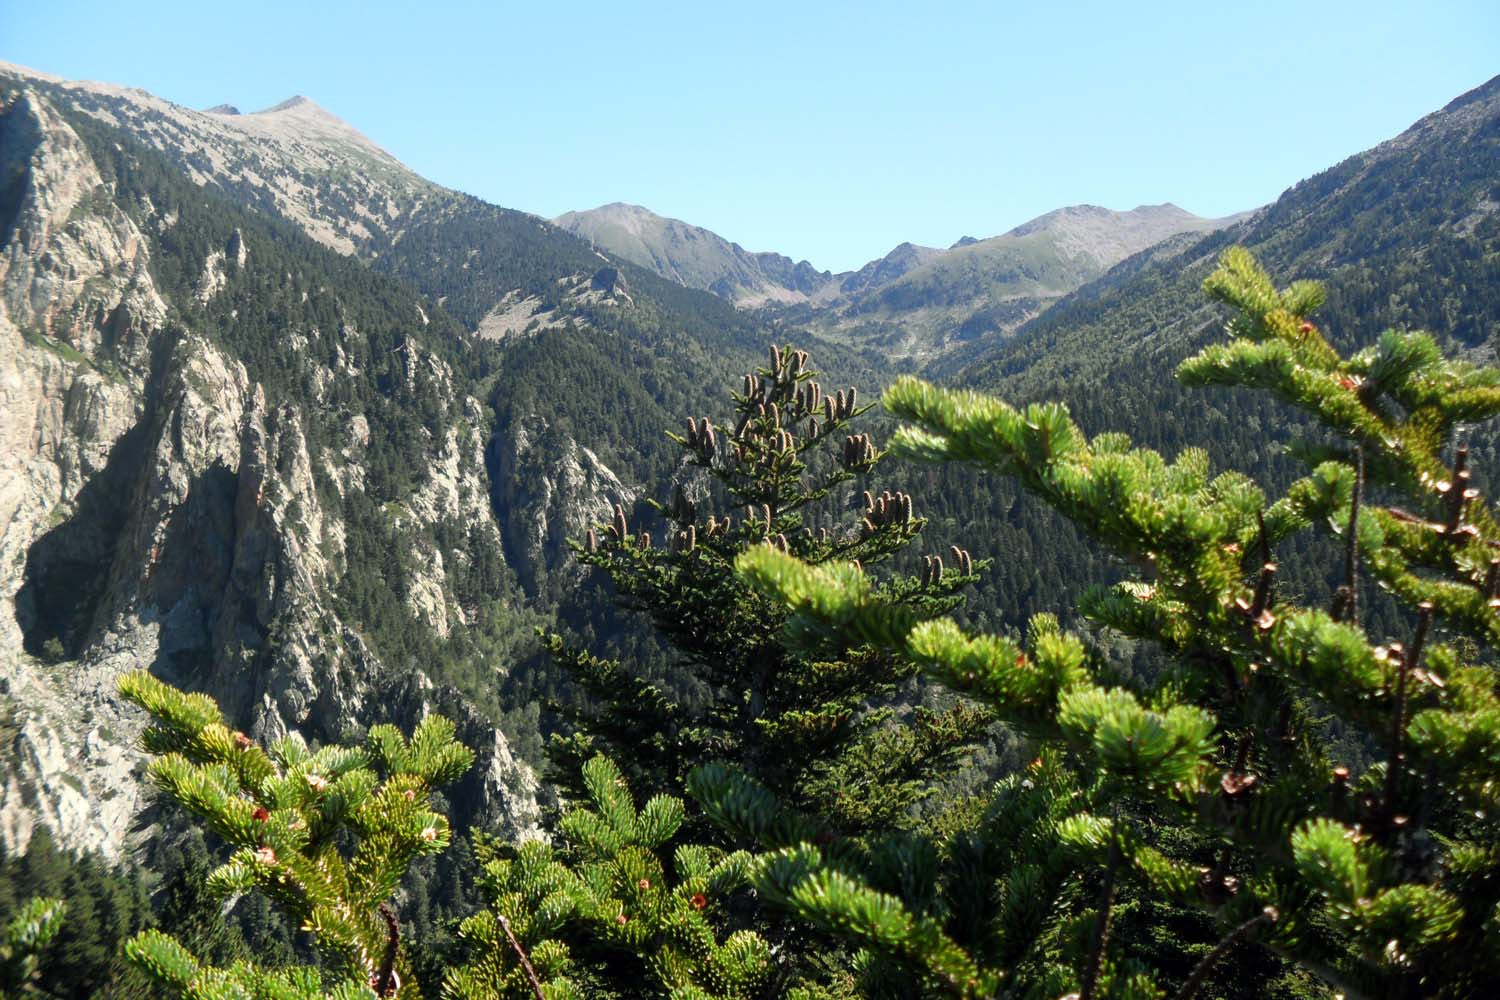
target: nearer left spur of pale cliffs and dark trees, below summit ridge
235 457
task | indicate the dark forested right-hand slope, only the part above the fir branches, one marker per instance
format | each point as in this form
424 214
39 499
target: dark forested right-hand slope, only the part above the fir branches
1405 236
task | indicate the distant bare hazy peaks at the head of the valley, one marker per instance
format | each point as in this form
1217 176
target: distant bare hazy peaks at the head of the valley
917 302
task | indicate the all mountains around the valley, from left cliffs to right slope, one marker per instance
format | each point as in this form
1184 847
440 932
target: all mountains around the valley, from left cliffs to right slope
298 428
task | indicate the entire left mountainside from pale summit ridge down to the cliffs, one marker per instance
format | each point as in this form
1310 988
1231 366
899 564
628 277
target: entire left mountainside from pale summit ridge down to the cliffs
280 448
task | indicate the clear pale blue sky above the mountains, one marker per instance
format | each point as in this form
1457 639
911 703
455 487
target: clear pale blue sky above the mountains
823 131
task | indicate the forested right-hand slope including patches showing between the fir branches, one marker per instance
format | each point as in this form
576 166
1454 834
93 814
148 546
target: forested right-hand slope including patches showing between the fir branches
1406 236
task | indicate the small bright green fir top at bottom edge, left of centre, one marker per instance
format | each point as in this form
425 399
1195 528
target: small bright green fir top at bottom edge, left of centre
653 918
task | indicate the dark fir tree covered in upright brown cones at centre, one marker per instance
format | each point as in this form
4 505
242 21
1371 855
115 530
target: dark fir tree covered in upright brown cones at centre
818 731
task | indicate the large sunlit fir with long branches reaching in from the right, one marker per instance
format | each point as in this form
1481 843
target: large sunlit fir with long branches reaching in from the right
1382 881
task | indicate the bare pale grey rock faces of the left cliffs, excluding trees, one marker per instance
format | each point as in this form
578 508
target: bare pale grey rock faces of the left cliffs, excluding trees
160 510
